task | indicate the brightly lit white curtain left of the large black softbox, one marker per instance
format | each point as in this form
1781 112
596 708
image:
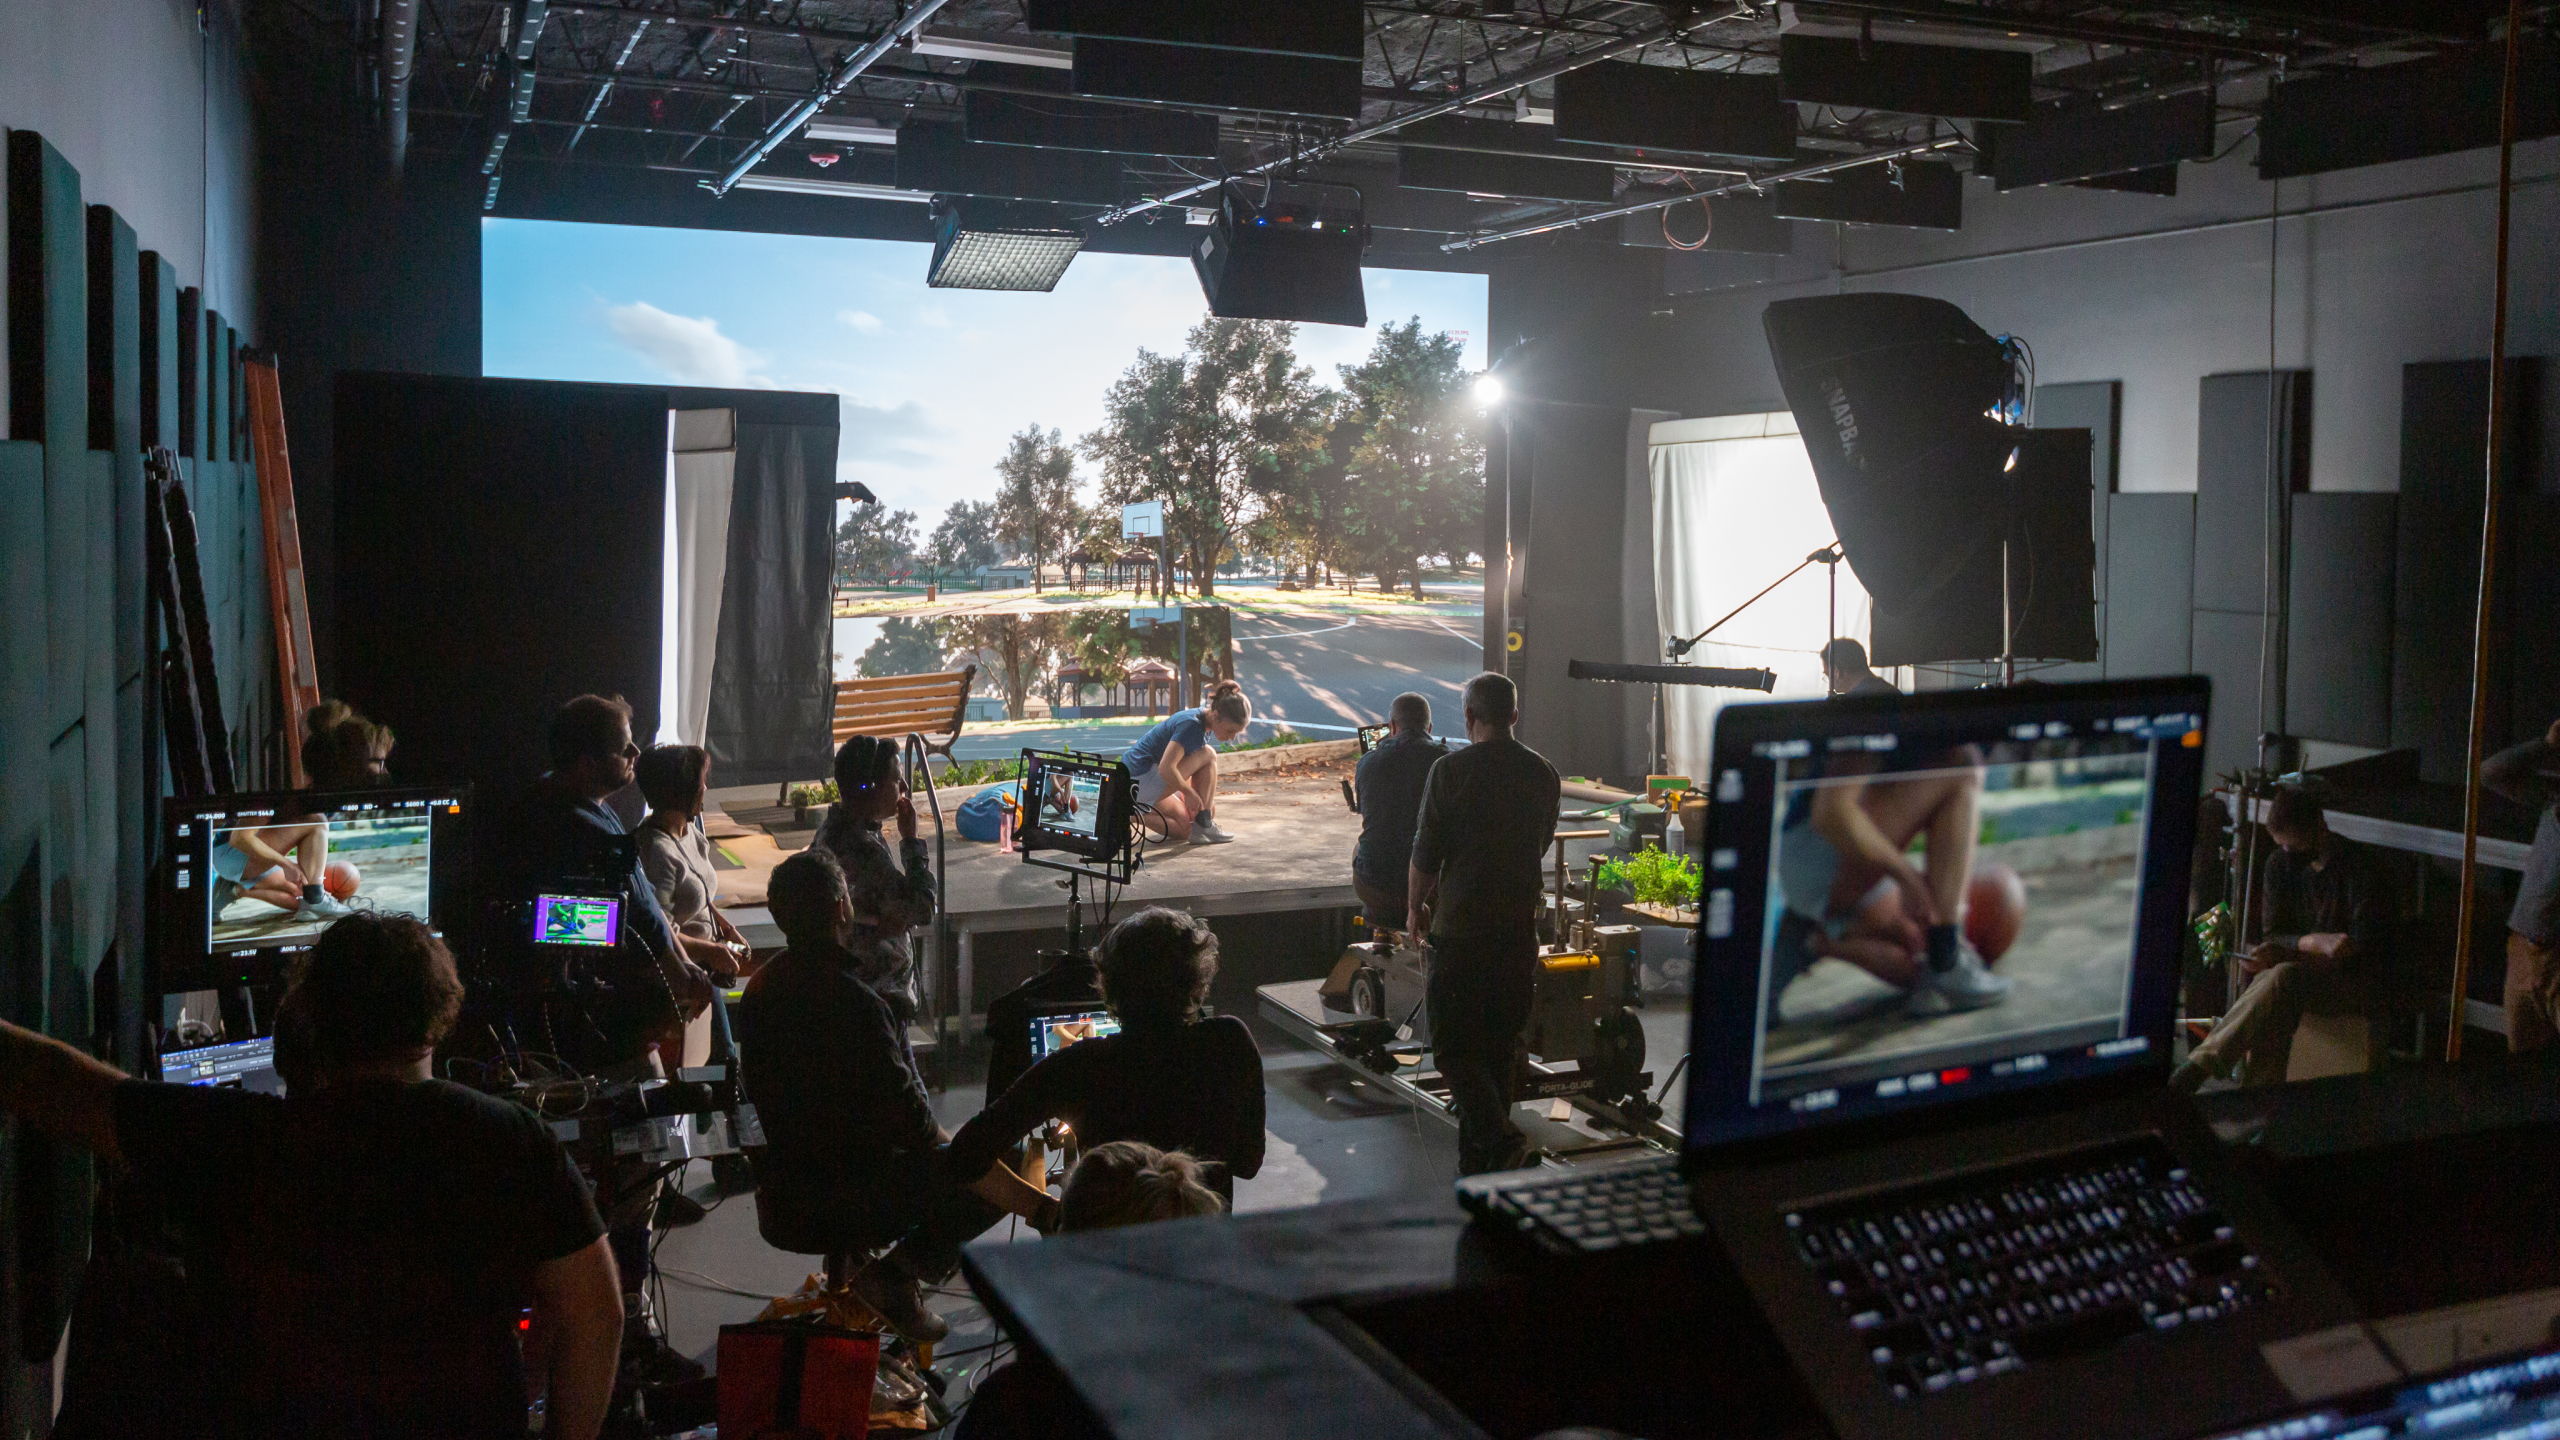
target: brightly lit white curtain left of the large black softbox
1734 509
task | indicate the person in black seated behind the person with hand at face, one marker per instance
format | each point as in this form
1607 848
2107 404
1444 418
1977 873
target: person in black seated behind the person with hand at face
851 1136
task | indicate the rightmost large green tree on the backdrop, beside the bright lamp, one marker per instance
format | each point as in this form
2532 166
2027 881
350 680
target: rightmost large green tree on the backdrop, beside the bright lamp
1417 475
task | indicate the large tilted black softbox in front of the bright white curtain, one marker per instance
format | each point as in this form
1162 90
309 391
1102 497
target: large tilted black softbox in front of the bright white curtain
1893 396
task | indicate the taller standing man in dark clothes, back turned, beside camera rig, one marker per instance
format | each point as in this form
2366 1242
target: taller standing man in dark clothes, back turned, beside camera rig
1476 890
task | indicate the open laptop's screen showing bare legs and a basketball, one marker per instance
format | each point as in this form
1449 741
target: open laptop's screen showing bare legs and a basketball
1919 901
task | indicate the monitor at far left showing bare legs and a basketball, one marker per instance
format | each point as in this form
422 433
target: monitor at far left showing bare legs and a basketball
252 880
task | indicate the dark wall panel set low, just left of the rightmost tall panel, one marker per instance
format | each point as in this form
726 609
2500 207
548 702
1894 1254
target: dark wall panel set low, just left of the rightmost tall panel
2339 619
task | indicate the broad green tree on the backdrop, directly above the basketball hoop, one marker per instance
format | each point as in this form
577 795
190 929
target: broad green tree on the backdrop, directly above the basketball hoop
1210 432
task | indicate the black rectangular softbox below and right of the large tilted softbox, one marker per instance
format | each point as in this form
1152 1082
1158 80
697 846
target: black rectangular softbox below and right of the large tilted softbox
2044 532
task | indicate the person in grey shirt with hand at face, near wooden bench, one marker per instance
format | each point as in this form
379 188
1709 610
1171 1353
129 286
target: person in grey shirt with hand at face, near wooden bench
892 896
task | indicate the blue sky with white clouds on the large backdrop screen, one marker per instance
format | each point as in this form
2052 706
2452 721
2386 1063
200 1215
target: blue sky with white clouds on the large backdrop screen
931 380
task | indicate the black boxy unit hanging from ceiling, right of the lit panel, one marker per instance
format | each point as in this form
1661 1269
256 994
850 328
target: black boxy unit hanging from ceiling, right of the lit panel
1284 255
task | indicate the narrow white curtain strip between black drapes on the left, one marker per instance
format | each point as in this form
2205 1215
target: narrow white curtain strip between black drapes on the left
703 468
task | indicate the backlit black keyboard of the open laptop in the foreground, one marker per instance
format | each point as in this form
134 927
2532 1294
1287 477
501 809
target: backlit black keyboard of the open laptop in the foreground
2001 1270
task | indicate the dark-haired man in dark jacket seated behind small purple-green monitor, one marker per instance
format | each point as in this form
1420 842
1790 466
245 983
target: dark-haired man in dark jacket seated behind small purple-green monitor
608 1011
